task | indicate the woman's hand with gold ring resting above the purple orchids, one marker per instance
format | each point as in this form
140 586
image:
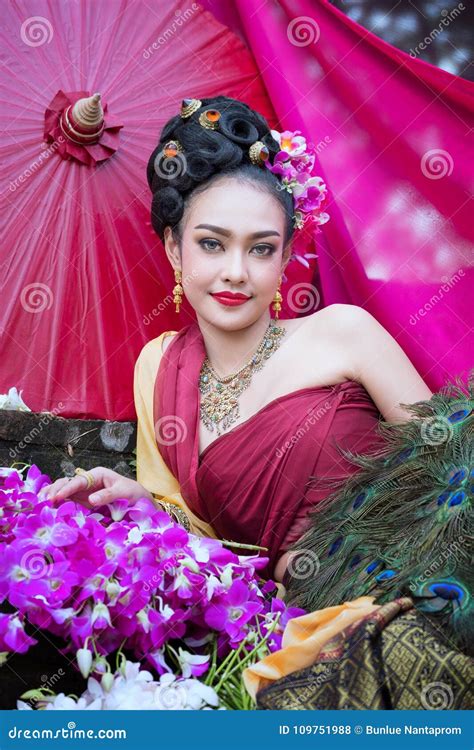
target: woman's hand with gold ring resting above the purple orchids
108 486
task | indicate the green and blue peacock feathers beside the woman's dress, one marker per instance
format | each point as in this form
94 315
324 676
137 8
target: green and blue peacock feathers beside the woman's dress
402 524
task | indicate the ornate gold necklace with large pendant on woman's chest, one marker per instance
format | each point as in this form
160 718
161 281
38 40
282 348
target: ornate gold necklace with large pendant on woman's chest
219 405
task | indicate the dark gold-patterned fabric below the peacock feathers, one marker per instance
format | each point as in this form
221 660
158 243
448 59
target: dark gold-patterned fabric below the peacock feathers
394 659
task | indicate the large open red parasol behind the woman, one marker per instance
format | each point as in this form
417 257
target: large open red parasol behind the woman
86 281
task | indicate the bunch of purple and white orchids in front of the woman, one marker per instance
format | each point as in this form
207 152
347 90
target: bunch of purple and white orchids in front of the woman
128 576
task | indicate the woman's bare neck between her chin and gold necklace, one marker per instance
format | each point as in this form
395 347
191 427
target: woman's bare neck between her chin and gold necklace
228 351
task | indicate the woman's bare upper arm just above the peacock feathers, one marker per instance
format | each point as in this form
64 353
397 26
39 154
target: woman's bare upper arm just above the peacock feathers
379 363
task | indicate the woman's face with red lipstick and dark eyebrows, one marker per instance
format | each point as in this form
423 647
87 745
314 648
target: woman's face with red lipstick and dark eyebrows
232 242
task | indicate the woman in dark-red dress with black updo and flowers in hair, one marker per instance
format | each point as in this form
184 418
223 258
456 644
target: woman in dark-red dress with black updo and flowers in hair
283 396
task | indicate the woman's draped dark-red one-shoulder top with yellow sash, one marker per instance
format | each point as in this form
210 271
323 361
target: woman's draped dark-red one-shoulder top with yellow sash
256 483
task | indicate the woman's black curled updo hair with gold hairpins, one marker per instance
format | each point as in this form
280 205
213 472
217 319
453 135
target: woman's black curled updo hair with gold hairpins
208 155
